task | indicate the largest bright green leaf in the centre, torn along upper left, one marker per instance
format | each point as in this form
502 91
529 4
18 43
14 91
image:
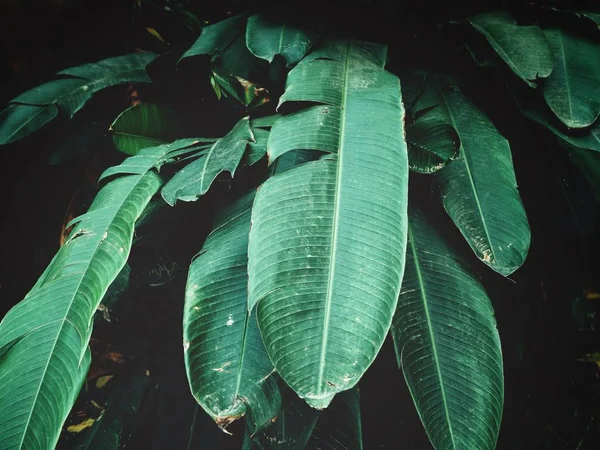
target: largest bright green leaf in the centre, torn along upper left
327 243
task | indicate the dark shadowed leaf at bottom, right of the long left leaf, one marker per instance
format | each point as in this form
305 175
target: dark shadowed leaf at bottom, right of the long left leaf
111 429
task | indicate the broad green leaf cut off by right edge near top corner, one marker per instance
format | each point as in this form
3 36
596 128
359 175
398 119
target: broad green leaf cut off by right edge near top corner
573 91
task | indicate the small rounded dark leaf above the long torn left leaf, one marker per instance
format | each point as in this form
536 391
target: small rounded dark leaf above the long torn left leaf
142 126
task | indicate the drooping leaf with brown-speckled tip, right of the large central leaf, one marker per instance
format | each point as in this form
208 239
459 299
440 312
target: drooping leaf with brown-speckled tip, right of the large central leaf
479 188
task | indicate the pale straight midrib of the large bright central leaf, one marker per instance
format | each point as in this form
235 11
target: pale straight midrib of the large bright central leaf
335 228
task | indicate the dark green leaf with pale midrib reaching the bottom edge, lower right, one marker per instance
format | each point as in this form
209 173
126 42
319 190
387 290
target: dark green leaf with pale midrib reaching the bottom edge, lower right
447 345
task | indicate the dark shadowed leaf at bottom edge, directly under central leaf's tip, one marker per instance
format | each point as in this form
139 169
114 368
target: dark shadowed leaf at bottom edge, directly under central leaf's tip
339 428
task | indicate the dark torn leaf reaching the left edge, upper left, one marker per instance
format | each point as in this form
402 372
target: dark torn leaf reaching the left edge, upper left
36 107
